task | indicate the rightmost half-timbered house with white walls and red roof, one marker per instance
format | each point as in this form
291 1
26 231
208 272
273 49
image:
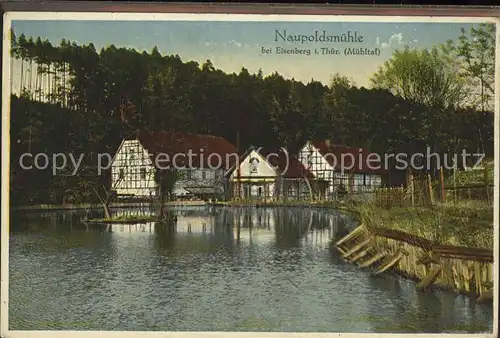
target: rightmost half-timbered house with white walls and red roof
362 171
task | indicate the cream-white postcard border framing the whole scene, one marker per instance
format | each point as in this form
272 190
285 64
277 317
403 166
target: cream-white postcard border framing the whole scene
196 14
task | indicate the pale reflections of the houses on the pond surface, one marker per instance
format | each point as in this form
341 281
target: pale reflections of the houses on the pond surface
256 225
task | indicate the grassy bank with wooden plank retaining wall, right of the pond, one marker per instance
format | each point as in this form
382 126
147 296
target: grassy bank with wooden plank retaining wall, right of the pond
448 245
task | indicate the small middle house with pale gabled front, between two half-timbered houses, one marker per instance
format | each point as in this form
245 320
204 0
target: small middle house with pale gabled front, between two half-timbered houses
266 174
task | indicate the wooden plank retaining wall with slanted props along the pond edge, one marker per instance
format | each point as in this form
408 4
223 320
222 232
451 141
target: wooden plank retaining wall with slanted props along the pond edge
467 270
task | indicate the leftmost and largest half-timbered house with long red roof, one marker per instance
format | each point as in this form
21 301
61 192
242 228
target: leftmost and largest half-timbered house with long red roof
201 161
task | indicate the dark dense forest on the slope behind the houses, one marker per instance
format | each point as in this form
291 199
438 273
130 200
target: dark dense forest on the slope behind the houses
72 99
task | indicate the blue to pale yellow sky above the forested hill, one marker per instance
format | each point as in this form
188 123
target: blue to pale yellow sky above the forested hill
233 45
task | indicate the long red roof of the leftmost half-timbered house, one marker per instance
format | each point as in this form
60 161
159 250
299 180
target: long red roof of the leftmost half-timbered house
201 146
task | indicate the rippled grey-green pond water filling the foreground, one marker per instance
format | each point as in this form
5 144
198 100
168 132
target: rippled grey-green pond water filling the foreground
281 275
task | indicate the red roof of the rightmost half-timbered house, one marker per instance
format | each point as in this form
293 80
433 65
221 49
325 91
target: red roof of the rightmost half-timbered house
362 162
